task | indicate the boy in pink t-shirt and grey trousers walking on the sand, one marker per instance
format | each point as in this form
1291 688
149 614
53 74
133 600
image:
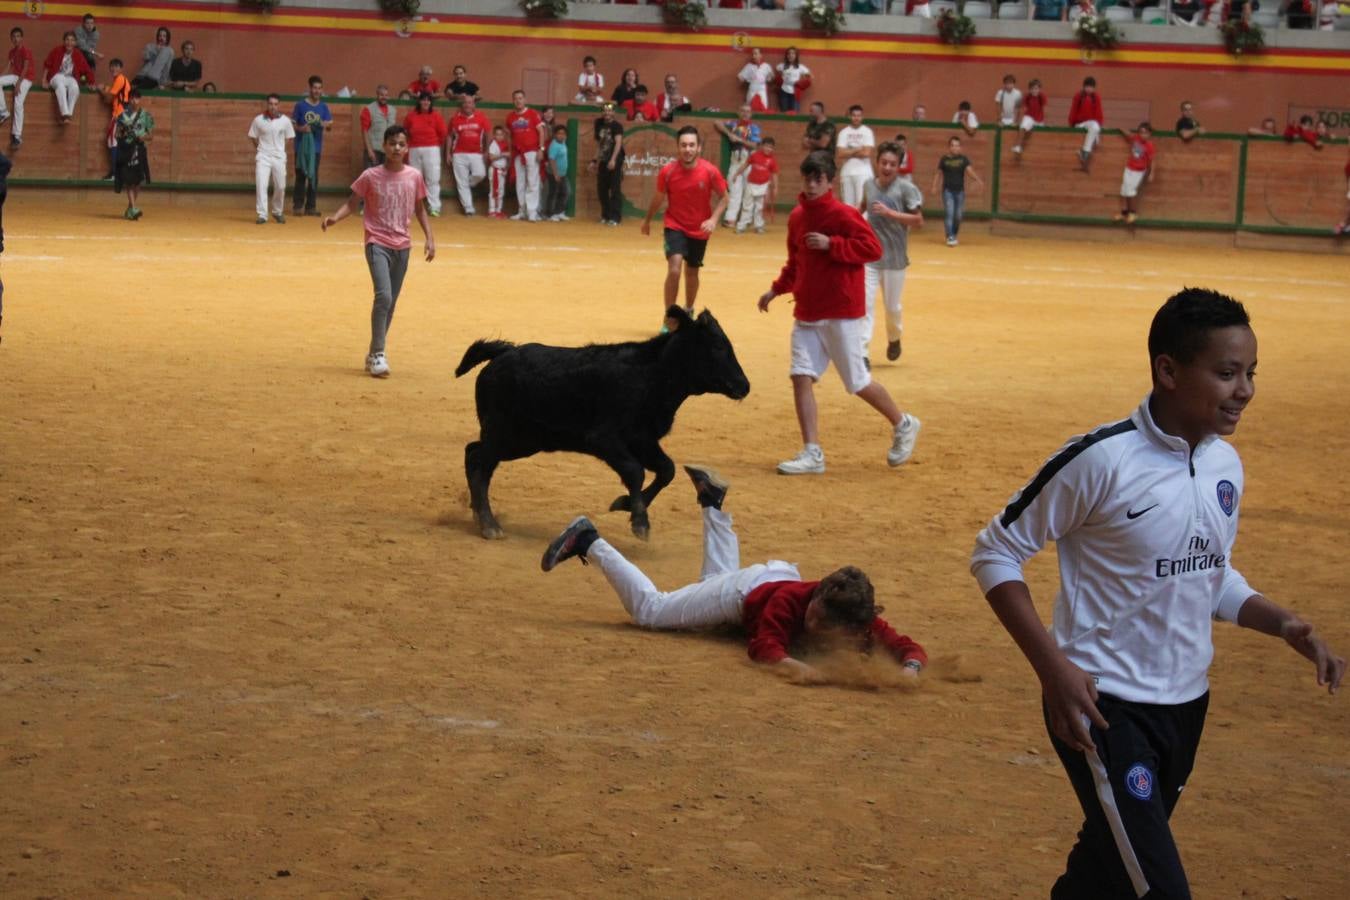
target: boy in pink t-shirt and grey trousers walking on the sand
394 194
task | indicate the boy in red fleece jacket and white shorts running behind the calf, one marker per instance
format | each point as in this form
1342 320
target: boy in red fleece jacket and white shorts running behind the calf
828 245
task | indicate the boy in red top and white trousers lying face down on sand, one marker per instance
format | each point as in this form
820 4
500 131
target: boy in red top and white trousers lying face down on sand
770 600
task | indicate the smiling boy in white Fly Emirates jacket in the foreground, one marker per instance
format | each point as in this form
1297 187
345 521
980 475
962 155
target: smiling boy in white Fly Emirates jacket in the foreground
1144 513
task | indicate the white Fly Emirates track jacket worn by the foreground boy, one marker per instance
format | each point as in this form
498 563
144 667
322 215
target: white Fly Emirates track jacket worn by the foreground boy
1144 531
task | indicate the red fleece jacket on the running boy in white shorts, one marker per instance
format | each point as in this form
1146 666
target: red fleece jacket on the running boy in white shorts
828 284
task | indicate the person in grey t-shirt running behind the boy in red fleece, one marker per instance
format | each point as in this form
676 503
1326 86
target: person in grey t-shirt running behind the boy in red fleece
893 206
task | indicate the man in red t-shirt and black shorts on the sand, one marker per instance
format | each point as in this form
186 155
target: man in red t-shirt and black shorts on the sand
688 187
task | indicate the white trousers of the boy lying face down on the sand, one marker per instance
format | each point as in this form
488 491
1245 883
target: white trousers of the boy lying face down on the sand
718 598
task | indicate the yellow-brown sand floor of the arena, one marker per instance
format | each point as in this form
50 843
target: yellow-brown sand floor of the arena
252 644
